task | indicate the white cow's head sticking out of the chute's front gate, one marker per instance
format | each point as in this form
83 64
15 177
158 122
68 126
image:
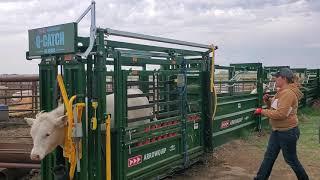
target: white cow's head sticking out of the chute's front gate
47 132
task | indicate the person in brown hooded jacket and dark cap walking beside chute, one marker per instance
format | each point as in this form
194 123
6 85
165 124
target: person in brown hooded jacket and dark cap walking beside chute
282 114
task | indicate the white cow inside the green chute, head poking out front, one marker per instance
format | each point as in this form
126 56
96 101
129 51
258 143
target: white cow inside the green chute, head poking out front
47 129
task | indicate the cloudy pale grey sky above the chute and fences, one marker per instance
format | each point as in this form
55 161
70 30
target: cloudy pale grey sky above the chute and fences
275 32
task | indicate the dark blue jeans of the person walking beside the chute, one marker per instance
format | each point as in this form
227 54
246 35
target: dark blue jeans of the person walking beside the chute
287 142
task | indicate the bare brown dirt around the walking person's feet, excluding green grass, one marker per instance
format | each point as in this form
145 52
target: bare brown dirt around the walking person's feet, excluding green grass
240 160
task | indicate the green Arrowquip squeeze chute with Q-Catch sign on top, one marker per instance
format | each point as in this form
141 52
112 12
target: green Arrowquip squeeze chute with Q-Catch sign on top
109 77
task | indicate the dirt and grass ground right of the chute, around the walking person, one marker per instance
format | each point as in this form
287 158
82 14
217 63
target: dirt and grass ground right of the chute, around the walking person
240 159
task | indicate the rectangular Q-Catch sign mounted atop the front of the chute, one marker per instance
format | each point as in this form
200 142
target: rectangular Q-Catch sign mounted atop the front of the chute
59 39
